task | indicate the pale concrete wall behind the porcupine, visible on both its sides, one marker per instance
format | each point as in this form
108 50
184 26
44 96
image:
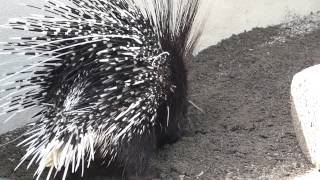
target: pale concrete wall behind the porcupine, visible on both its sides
227 17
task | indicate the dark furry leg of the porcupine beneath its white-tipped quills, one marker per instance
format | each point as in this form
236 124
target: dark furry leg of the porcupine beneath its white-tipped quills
131 162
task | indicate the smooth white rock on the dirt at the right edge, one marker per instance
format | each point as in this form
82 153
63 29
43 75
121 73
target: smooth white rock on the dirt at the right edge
305 98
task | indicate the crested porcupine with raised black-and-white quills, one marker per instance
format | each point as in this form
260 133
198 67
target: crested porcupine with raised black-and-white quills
112 86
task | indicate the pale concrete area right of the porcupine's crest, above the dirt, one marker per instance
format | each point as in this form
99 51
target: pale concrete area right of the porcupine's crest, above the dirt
235 16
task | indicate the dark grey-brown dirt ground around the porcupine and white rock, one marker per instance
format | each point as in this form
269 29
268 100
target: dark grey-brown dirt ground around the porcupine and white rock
242 128
